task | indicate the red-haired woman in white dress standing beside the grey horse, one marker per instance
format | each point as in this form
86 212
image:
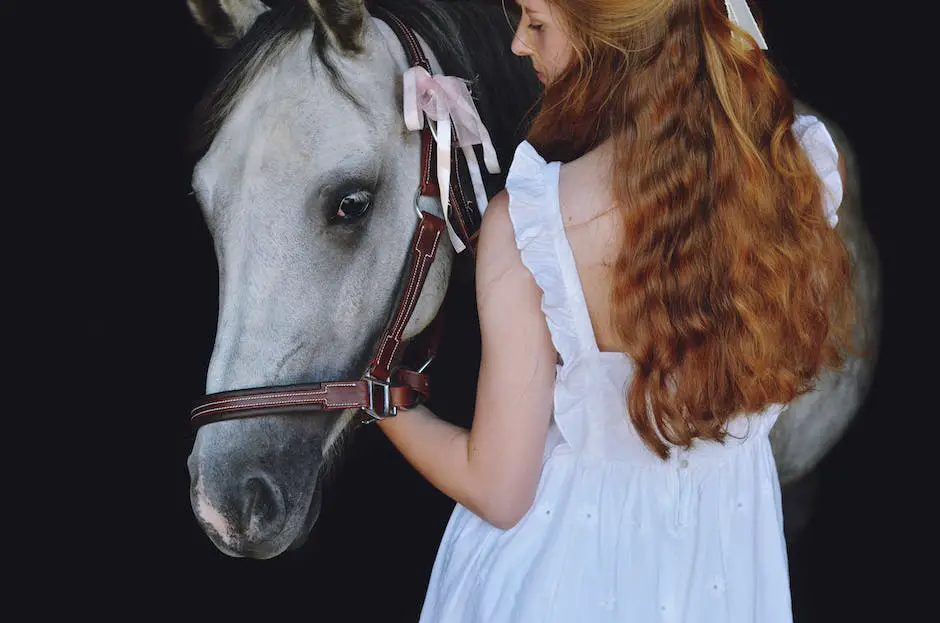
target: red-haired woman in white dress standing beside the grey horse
659 278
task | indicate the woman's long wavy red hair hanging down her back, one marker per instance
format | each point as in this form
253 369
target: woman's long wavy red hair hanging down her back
731 292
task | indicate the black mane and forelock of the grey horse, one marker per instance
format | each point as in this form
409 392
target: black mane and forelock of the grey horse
502 84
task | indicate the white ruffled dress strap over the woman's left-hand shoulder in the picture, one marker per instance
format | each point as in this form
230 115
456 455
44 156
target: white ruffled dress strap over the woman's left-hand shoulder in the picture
532 184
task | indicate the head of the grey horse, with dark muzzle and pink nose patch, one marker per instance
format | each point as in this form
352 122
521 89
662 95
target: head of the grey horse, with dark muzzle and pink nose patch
308 189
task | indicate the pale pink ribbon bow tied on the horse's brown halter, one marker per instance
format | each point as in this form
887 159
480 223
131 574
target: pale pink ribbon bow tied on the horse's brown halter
446 100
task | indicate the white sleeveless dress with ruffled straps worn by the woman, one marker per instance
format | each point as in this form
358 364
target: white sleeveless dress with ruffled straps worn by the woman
615 533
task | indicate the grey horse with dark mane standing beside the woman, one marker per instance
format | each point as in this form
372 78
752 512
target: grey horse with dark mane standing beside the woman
307 185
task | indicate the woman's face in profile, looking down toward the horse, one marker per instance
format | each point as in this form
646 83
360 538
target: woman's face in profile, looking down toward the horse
540 37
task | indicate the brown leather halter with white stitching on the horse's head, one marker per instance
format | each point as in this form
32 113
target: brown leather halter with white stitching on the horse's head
386 385
